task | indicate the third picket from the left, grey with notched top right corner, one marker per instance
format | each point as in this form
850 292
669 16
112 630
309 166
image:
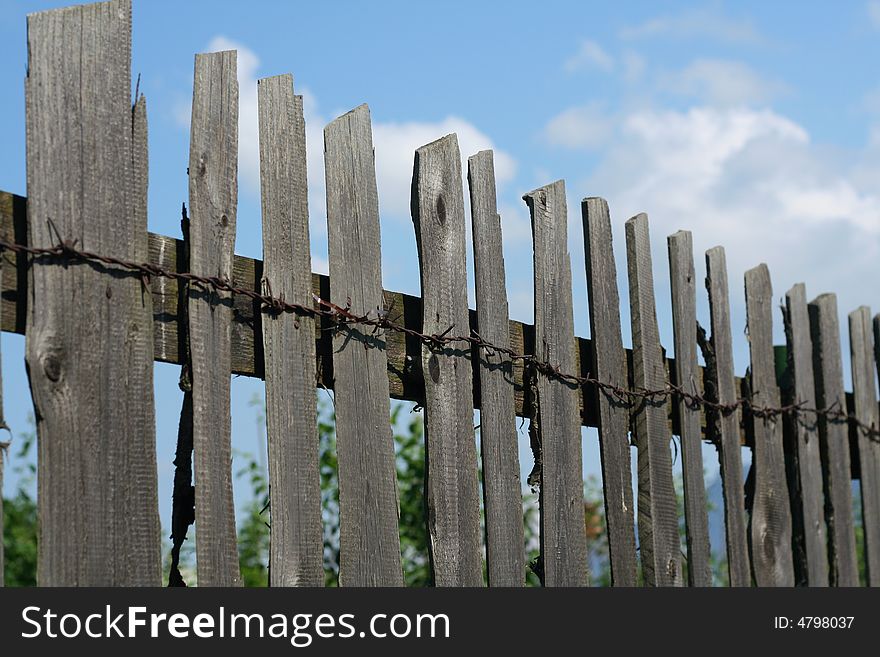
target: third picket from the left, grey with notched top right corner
296 547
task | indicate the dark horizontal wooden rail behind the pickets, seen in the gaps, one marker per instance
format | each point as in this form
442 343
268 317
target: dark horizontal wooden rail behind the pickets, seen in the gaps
402 351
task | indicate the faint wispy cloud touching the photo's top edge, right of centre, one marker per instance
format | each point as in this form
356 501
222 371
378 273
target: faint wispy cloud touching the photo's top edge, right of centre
706 23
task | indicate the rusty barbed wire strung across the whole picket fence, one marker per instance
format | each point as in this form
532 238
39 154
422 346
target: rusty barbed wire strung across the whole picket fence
342 316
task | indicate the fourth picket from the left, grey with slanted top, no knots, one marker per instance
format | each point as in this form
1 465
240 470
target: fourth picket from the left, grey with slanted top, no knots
369 542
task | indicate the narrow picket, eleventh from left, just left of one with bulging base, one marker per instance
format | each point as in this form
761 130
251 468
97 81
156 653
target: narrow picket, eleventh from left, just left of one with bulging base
728 430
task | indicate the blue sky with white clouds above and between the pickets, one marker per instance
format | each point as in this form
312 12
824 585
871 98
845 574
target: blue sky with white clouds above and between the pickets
756 125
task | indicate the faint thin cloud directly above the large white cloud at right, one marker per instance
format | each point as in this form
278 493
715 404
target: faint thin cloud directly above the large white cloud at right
720 82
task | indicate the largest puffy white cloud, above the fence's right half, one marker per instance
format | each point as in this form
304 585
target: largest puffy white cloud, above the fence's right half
755 183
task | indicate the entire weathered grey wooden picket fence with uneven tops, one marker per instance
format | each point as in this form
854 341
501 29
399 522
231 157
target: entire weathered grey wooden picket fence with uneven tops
99 299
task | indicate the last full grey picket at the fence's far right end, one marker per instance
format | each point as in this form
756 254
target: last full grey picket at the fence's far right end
865 409
